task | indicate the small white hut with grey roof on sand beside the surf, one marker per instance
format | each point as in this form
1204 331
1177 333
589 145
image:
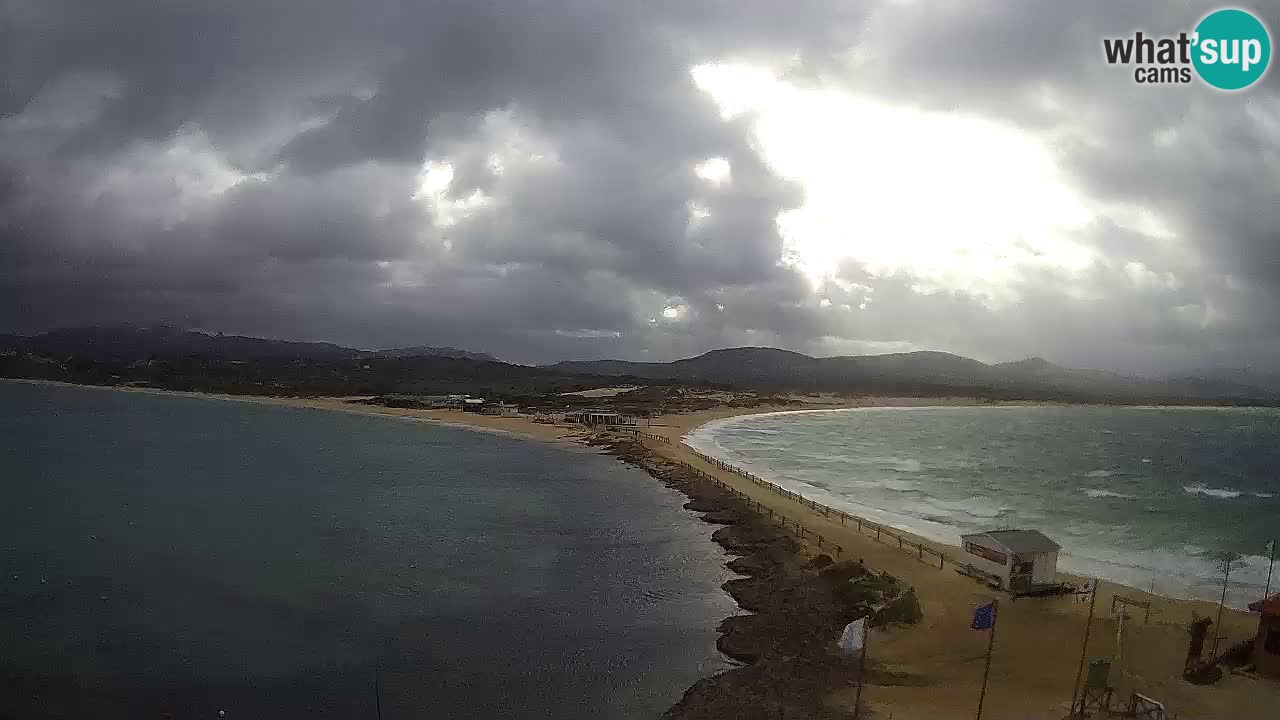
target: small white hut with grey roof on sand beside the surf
1022 562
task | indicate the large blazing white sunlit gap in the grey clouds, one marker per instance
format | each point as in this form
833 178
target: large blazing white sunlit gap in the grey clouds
957 202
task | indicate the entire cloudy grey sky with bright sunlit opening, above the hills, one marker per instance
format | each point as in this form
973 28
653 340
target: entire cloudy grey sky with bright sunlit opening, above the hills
639 180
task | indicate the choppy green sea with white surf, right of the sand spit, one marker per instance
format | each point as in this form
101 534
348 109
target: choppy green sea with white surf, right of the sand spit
1149 498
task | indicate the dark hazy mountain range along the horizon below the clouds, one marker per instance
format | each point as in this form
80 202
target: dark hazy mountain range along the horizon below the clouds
122 348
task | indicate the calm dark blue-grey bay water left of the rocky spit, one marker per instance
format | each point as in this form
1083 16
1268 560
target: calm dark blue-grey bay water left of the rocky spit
186 555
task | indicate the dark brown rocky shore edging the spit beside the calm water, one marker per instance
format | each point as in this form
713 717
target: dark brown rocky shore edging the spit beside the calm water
797 608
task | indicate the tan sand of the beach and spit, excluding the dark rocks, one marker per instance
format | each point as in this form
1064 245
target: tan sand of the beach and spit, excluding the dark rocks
941 660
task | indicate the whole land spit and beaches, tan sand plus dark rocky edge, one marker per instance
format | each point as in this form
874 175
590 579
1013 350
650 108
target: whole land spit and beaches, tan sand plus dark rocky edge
931 669
